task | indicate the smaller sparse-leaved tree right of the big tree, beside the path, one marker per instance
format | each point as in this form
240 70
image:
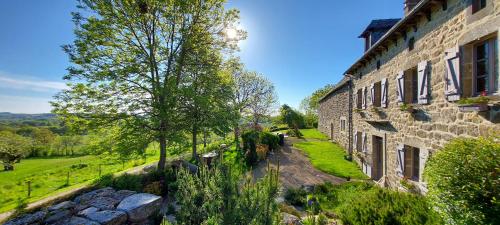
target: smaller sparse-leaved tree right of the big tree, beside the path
254 95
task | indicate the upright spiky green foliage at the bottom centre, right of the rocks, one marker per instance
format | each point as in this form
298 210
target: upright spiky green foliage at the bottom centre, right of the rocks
217 196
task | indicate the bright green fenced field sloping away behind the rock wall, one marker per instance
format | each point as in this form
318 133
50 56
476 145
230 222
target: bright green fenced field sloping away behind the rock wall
48 176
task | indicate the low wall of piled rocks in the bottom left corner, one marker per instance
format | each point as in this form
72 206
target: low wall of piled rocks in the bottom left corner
100 207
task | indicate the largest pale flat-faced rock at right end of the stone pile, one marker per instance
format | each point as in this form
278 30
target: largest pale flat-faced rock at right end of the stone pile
140 206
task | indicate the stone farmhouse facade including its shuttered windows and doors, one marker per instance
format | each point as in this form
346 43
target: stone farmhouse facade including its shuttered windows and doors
409 85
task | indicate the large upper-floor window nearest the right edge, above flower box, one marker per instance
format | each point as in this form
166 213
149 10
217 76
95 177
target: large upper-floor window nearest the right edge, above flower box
484 69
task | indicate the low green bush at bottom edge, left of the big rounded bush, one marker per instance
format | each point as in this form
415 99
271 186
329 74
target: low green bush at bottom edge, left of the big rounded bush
380 206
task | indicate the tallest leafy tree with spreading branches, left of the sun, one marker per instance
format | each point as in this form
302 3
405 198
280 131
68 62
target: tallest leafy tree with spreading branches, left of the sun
129 60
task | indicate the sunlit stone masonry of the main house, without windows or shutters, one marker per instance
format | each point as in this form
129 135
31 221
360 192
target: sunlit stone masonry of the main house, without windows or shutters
436 123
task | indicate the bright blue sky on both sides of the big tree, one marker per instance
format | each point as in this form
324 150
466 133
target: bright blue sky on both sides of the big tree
300 46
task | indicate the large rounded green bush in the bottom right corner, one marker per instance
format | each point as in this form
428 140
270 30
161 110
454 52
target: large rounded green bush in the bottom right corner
463 180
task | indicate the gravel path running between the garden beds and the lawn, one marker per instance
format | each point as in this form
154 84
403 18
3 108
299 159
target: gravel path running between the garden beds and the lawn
295 168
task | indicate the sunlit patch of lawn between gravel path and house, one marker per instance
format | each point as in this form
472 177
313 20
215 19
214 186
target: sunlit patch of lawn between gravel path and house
328 157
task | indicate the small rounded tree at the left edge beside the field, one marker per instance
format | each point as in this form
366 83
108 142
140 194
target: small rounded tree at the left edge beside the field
13 147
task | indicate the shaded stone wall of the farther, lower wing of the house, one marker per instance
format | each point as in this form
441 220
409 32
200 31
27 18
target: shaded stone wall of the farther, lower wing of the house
331 110
